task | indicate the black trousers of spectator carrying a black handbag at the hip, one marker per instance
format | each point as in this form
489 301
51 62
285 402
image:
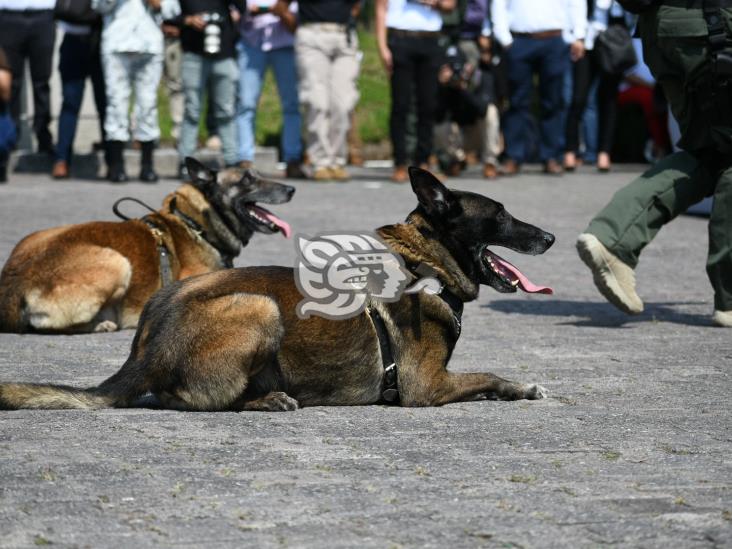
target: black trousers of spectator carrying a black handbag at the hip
584 72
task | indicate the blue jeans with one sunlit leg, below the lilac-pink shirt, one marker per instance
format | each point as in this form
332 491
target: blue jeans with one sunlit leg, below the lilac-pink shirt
253 63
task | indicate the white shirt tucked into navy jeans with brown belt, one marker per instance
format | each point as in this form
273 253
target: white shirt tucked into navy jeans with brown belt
569 16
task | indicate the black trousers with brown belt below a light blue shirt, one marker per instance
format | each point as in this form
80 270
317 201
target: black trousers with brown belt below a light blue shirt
416 61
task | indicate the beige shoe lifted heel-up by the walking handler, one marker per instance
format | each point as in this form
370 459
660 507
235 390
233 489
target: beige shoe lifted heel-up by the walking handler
614 279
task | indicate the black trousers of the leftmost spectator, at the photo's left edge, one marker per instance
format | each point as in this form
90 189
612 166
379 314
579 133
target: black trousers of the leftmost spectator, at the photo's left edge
30 35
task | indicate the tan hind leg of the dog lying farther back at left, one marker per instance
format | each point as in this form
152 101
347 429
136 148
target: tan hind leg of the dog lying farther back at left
78 293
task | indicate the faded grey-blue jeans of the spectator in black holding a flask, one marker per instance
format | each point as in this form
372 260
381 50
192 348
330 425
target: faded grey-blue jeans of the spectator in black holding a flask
220 76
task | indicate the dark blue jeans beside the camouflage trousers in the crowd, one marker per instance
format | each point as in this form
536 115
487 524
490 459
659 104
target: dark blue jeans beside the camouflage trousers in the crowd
78 60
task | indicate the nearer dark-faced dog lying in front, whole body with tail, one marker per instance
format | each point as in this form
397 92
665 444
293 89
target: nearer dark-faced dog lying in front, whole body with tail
231 340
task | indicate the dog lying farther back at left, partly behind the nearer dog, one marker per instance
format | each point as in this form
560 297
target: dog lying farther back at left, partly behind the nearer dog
98 276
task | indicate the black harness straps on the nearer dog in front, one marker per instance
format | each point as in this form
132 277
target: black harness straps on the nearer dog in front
390 385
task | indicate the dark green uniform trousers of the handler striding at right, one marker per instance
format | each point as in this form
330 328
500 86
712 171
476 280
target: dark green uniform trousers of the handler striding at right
675 49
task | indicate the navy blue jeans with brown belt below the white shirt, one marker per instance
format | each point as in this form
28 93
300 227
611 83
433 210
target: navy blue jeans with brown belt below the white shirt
549 57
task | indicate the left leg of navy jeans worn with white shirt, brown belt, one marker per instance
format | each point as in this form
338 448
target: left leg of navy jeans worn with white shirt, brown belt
520 83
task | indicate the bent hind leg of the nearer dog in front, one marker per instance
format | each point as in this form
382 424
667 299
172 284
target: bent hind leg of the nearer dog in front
225 346
